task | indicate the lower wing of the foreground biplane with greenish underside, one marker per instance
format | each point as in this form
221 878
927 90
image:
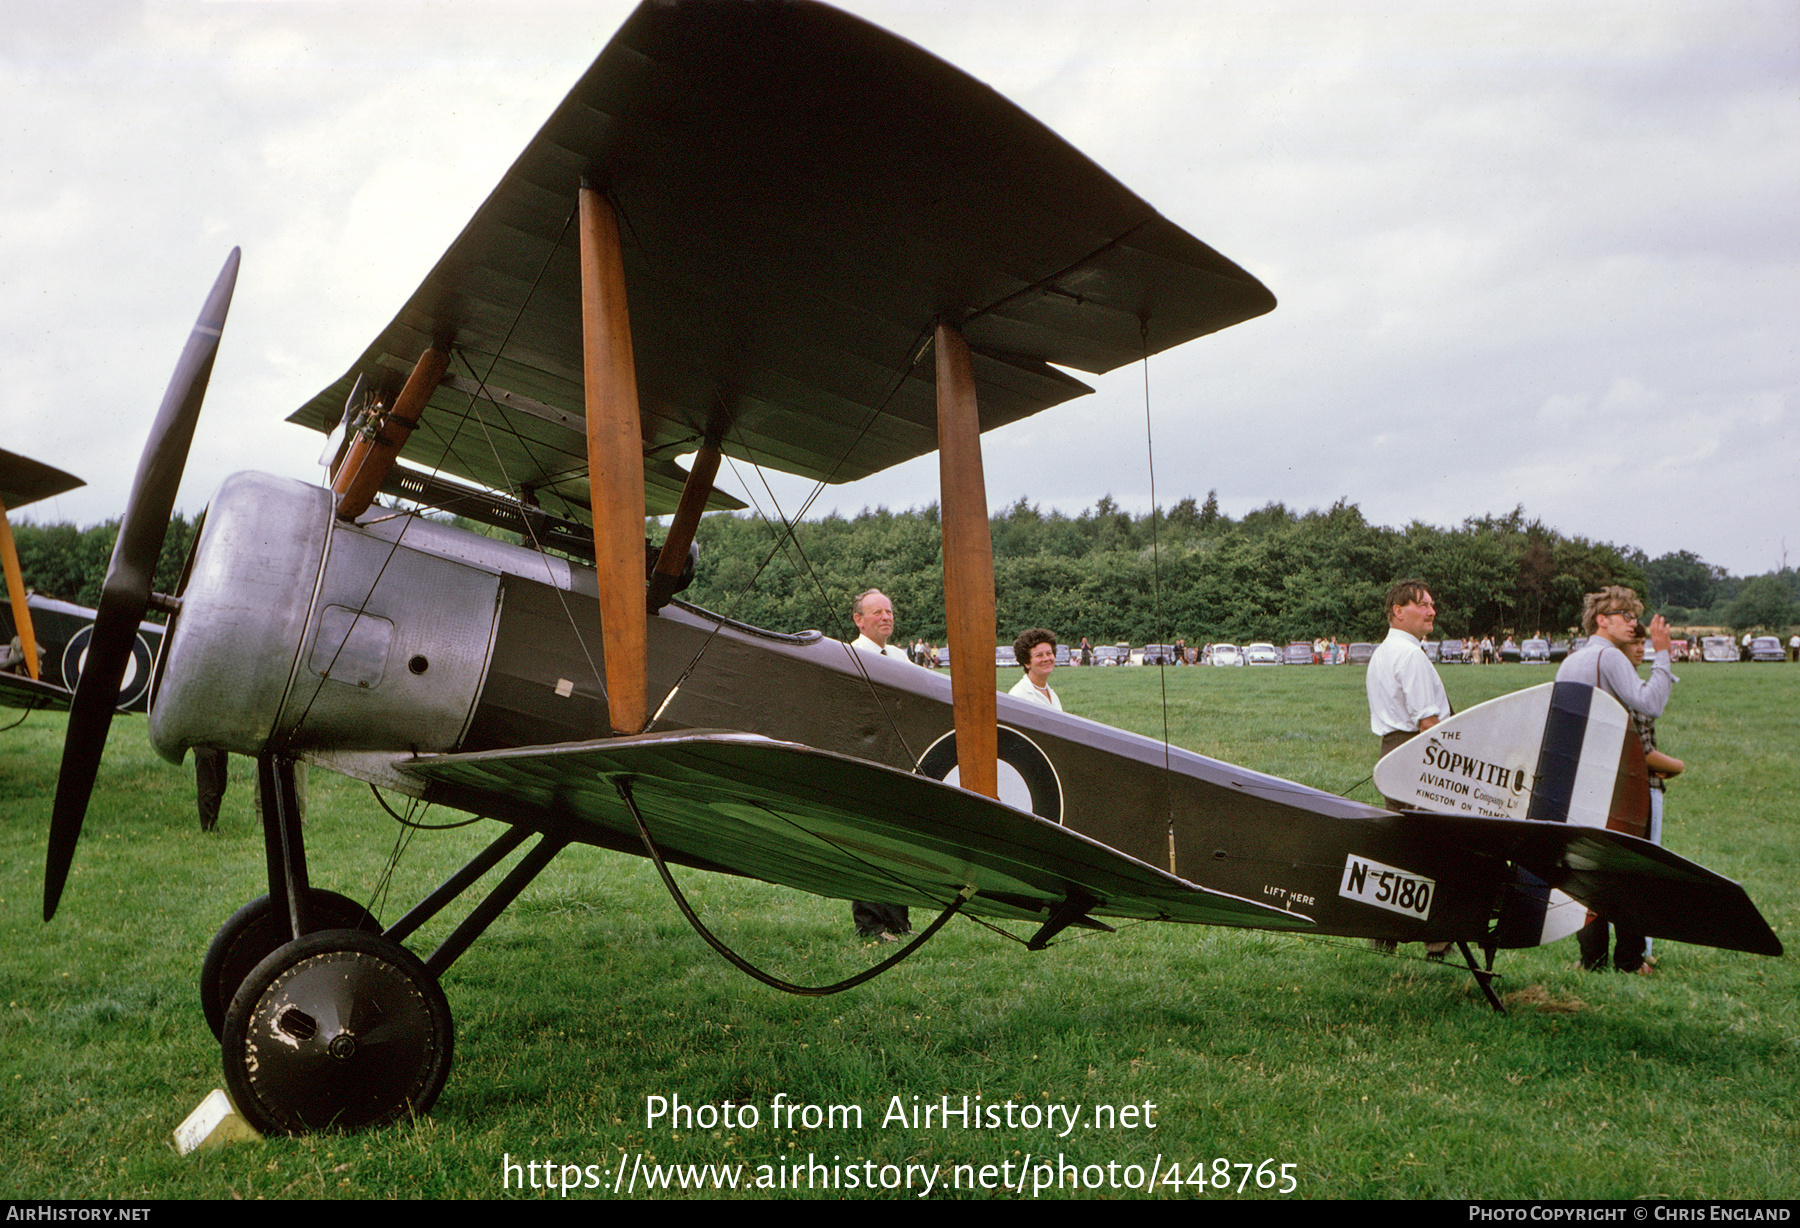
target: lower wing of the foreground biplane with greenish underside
825 824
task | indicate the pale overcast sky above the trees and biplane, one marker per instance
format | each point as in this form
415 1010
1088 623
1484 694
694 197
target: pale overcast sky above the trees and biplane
1536 255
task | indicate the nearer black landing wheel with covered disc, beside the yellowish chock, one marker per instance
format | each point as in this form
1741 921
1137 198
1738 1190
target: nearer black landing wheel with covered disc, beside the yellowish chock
337 1031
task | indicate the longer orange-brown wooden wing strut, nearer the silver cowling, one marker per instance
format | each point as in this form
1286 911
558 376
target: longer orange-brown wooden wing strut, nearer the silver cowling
615 462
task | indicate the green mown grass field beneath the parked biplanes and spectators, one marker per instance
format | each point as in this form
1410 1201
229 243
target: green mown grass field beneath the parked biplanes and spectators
1372 1078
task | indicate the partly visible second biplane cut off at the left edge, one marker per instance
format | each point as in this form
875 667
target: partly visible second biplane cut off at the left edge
42 667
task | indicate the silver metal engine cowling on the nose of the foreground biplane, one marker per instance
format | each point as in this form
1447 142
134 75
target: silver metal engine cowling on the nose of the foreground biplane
300 633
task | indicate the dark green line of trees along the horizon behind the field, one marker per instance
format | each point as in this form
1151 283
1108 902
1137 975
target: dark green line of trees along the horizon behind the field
1110 575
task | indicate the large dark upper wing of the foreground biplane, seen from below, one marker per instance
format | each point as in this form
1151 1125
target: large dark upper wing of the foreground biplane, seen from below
802 197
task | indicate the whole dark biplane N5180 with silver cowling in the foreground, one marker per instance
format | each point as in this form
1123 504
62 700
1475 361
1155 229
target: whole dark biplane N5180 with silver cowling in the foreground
777 233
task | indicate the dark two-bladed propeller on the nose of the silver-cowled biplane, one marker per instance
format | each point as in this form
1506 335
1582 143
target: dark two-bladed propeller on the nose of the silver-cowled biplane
125 597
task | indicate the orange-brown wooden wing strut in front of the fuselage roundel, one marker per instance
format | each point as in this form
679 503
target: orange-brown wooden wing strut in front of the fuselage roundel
967 566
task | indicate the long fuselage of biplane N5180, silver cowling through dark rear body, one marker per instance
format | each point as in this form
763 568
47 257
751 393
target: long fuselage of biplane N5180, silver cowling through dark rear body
364 646
